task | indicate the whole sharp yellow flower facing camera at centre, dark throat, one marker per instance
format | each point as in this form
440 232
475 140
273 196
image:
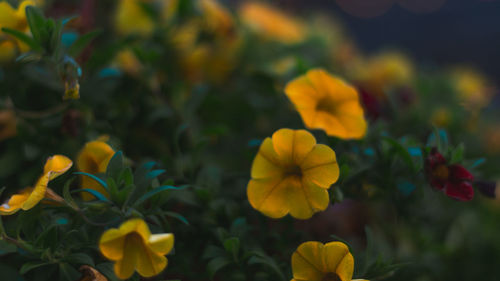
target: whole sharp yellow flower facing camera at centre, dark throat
292 174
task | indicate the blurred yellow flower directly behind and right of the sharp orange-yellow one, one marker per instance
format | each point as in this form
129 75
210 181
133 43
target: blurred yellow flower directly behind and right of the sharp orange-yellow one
385 71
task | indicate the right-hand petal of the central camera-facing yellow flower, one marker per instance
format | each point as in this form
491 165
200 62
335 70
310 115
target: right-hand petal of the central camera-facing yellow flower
320 167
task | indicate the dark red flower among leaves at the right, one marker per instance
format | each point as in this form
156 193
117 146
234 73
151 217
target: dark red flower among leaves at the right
454 180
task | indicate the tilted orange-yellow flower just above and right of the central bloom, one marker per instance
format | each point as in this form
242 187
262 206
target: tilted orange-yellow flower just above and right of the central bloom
327 103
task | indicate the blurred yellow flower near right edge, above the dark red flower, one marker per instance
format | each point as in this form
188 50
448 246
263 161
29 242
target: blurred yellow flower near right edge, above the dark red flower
473 88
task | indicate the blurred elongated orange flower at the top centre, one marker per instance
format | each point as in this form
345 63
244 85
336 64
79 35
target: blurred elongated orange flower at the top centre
272 23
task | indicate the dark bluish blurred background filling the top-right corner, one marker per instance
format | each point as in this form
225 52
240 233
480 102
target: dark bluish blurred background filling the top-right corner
457 31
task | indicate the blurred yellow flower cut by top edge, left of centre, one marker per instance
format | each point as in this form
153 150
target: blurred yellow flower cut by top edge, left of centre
132 18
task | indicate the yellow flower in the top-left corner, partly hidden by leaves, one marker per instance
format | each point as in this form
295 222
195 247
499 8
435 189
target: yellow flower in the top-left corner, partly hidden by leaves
13 19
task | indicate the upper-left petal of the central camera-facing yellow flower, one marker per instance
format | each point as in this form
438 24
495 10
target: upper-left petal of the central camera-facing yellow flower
265 164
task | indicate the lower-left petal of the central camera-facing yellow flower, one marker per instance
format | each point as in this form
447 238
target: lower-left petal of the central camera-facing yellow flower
269 196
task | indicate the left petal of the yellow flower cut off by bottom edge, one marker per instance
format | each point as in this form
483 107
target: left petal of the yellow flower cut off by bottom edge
307 261
